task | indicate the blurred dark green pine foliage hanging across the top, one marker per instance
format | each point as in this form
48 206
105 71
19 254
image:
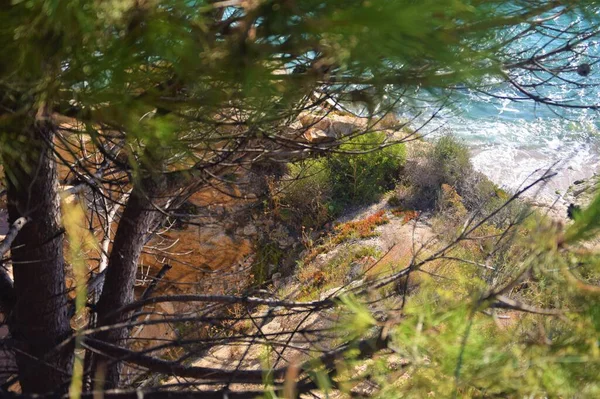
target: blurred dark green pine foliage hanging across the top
118 61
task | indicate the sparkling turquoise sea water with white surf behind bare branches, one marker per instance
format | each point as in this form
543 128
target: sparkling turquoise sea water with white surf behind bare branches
513 142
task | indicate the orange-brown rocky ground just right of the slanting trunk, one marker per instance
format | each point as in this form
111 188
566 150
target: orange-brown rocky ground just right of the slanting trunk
211 251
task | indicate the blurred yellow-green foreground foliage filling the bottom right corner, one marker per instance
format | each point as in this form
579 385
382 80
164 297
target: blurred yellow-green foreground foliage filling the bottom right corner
451 343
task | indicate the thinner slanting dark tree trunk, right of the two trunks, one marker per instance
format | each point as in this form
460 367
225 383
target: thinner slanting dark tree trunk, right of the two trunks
138 219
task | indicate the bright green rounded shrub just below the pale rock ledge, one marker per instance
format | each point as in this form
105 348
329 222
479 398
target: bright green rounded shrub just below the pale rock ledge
362 178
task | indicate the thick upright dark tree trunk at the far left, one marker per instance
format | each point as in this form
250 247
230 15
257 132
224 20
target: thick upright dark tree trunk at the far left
39 320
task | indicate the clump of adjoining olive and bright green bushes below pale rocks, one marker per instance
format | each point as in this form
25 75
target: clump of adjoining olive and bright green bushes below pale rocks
315 192
